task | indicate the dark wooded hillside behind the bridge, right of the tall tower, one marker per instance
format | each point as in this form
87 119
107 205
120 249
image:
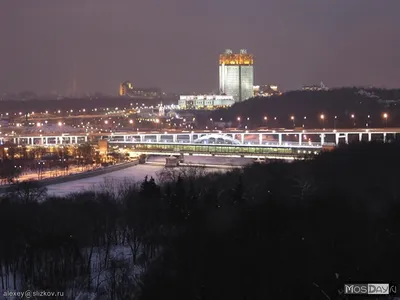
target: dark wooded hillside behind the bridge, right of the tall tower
342 103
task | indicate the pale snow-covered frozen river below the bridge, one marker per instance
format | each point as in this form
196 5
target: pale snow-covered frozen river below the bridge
132 174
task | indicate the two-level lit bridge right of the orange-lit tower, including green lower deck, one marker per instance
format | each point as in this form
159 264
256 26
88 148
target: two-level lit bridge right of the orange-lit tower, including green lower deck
283 144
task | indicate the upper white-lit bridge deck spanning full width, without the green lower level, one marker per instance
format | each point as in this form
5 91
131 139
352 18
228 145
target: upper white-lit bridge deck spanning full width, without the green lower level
282 137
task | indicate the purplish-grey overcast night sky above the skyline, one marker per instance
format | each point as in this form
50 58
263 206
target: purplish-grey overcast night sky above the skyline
174 44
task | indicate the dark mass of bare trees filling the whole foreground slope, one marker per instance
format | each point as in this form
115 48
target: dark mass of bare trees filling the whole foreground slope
276 231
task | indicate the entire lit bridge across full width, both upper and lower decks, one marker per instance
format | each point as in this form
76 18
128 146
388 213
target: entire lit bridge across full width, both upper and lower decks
258 142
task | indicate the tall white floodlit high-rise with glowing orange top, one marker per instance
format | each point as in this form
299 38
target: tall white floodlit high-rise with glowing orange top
236 75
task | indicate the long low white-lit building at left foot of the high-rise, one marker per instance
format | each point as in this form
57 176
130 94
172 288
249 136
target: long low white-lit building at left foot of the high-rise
205 102
